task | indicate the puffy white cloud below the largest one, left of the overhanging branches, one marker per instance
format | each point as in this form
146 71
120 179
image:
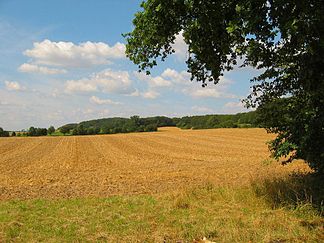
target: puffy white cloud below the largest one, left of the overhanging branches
107 81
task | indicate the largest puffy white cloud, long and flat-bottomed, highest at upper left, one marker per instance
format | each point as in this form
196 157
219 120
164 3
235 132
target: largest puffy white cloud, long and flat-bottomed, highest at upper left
68 54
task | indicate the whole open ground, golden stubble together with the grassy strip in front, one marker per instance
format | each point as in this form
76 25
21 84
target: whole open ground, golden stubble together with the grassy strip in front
170 185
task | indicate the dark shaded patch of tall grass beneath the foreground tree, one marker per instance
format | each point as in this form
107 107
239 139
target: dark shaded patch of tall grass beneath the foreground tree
293 190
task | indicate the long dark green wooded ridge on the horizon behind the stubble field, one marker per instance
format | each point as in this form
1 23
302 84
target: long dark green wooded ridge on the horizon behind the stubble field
149 124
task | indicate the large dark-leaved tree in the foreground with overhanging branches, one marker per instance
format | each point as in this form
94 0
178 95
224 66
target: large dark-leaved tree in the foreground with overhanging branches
284 39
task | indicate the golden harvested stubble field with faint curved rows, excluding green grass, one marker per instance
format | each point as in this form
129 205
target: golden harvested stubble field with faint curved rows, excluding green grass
137 163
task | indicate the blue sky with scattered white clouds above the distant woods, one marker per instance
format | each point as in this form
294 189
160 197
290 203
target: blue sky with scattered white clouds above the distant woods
64 61
